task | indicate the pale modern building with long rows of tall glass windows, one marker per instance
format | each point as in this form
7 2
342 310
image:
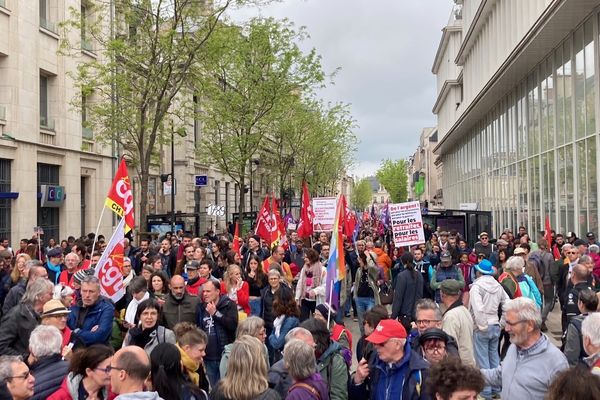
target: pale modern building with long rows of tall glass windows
517 104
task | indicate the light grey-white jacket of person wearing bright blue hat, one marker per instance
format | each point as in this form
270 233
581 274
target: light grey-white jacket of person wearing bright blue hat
486 296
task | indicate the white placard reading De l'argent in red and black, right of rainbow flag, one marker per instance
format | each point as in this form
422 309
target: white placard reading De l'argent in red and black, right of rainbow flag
407 223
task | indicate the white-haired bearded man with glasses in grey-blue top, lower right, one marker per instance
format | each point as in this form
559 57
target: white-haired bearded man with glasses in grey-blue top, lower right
532 361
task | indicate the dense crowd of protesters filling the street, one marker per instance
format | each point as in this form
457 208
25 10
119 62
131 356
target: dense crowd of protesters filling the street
199 320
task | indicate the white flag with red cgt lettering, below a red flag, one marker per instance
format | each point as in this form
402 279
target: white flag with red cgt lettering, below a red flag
109 267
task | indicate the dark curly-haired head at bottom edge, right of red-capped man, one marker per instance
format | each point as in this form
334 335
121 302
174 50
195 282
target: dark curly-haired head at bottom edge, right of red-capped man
451 380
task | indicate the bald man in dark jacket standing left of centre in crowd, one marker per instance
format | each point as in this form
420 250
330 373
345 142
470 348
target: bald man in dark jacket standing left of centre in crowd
179 304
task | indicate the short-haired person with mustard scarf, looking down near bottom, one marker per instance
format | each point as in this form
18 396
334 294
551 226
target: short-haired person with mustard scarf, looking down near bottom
191 343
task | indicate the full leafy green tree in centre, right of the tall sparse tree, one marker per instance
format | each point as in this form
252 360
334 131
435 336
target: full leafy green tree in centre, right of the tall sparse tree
255 76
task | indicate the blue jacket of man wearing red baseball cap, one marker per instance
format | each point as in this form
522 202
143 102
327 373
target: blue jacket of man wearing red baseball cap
404 380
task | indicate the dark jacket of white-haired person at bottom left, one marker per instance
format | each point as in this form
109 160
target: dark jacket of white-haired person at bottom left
49 372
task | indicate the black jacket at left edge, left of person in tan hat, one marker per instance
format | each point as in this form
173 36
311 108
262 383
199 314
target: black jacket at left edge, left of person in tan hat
15 329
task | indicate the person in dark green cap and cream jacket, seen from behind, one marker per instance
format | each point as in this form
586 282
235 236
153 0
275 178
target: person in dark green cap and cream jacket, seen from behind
457 321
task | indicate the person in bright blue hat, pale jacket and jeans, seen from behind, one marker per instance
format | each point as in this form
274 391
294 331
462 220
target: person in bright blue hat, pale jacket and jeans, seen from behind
486 298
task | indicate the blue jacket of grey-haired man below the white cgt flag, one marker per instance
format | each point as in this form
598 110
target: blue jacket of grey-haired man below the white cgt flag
100 314
